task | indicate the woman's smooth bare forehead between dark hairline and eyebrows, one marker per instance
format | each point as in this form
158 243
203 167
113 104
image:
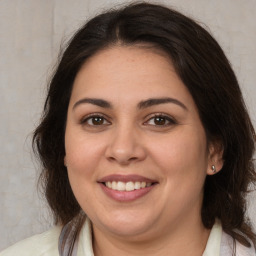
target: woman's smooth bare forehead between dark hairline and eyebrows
123 72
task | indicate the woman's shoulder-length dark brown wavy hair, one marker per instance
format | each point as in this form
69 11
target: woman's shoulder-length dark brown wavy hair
204 69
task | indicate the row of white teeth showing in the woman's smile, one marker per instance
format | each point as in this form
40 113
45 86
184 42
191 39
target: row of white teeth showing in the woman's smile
127 186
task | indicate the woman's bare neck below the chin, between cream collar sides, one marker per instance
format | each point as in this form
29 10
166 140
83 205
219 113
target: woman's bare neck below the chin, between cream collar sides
190 238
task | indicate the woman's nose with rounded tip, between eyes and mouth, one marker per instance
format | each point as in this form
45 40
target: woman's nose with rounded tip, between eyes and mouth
125 146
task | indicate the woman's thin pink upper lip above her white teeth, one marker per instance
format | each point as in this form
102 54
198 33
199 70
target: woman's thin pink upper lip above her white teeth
126 178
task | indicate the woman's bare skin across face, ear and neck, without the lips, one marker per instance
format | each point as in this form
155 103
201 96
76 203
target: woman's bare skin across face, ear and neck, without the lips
129 140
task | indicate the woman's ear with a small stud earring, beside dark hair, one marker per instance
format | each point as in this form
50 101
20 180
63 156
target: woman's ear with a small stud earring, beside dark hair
215 157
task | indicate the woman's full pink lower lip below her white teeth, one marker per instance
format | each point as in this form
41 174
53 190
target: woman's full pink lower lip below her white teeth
126 196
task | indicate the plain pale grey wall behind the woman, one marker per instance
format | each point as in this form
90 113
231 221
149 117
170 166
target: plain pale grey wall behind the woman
31 32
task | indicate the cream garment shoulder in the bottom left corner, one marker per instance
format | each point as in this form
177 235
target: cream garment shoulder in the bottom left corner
44 244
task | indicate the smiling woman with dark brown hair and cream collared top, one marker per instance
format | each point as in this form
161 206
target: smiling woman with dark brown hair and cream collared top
145 142
